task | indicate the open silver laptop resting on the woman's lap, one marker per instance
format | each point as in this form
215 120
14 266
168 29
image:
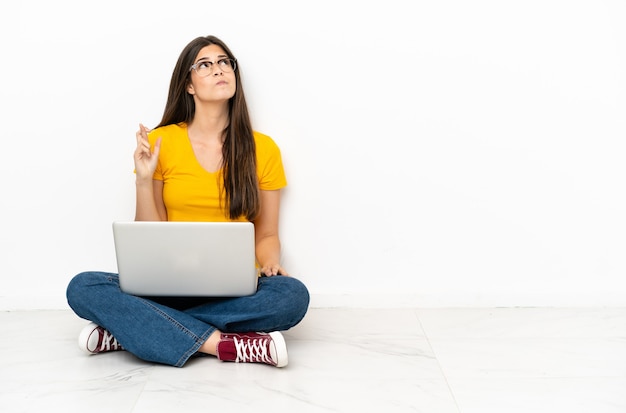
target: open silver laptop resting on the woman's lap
194 259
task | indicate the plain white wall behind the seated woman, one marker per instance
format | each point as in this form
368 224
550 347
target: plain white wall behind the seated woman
439 153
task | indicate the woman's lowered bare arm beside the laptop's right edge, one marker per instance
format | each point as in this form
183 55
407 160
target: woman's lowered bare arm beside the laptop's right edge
266 234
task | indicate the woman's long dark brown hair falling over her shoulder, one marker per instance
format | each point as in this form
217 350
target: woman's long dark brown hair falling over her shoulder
239 181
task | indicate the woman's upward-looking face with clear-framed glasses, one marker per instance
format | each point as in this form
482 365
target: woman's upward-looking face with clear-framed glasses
213 77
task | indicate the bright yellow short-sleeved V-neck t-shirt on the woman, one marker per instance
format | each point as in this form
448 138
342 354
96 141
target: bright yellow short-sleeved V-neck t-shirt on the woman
190 192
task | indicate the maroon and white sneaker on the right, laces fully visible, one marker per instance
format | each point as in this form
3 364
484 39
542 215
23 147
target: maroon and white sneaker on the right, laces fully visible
268 348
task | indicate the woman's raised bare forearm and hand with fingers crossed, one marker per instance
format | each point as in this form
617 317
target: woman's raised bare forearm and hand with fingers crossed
149 192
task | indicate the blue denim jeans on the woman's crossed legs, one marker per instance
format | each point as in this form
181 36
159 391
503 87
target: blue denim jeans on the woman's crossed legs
170 330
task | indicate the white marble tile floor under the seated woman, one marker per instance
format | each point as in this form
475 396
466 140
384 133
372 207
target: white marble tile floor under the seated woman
500 360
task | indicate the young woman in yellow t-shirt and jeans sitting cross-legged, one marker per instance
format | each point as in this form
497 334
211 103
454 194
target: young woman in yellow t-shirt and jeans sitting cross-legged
203 162
